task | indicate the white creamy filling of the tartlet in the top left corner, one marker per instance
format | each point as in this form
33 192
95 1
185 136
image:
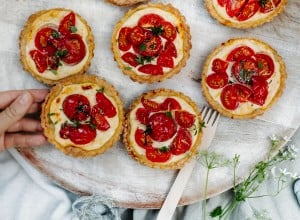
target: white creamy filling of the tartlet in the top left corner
53 19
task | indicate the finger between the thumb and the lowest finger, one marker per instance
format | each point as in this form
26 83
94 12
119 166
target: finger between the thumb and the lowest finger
26 124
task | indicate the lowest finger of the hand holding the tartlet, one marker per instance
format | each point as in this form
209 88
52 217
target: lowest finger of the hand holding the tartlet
24 140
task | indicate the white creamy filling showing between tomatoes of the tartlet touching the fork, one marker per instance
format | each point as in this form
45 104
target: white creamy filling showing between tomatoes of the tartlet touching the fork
135 124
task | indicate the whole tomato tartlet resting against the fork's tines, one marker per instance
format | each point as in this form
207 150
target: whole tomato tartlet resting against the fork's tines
163 129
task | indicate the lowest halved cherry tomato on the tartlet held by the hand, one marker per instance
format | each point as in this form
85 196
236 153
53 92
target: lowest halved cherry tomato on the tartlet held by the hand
83 134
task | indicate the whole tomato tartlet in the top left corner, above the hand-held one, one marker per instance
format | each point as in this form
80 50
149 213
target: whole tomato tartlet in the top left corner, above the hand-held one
56 44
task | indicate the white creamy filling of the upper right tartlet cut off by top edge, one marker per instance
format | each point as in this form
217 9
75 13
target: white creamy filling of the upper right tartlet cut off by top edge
222 11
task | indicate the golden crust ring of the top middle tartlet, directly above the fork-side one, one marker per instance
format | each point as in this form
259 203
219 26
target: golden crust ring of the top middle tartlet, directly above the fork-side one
184 32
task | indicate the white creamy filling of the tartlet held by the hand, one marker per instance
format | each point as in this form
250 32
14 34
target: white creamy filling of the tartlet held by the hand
58 117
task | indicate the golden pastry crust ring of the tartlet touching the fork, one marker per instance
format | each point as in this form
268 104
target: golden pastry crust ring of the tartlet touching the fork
130 145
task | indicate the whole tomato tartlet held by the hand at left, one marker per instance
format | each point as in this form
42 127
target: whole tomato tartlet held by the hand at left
83 116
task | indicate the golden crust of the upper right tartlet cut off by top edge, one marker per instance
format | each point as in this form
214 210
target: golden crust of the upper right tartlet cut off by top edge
225 20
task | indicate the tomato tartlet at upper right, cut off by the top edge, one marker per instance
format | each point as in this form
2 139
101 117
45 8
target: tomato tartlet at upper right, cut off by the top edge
244 13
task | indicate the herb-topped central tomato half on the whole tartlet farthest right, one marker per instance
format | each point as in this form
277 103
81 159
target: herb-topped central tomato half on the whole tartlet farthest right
243 70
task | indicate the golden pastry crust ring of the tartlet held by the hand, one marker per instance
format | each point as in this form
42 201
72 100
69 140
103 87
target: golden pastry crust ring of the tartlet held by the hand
49 127
